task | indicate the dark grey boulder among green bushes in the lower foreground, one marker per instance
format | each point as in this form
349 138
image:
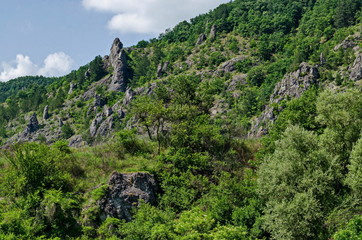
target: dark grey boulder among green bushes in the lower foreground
125 192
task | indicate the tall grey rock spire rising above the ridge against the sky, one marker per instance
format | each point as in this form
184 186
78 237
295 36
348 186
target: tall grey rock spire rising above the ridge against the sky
118 61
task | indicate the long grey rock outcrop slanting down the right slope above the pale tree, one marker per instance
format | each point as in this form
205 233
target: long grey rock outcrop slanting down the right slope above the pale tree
291 86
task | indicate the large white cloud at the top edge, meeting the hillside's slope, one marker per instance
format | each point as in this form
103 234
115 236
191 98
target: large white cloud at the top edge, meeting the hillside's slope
150 16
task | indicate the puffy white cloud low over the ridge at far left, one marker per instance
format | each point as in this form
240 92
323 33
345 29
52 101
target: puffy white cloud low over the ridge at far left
55 64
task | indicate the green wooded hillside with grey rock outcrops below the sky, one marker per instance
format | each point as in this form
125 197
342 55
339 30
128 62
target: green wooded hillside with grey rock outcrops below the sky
242 123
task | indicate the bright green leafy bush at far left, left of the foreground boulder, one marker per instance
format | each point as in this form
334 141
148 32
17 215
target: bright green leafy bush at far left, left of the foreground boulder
34 167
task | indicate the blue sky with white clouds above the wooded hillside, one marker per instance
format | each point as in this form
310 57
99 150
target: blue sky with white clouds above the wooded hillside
53 37
